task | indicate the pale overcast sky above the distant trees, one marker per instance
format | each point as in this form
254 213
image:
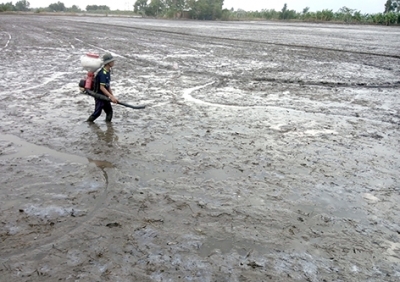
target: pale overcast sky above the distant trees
364 6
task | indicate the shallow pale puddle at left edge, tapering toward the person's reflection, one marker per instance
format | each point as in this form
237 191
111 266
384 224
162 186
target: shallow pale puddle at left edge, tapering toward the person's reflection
28 149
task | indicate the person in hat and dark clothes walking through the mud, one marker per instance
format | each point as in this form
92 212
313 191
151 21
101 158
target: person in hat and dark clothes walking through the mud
102 86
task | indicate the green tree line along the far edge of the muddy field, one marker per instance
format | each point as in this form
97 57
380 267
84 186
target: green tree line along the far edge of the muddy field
212 10
